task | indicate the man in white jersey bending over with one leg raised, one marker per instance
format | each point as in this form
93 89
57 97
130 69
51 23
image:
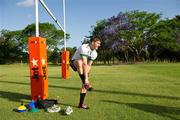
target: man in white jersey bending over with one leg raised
81 62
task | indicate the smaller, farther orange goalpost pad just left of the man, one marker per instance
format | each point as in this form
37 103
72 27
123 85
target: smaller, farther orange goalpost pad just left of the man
65 64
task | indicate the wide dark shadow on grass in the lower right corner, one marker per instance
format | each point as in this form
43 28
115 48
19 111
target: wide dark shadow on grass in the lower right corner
163 111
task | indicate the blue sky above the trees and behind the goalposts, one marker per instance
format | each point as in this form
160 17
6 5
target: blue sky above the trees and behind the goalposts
80 14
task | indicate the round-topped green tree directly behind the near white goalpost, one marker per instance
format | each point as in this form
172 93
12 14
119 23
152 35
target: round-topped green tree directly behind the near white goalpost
54 37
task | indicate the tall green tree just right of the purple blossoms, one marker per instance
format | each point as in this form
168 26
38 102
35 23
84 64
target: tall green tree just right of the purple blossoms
137 37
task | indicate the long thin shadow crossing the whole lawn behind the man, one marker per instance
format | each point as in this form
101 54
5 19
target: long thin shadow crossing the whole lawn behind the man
103 91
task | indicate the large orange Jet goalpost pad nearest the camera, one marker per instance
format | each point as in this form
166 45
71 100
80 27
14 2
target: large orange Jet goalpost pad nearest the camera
38 68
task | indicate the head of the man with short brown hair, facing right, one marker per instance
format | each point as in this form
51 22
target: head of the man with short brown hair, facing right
95 42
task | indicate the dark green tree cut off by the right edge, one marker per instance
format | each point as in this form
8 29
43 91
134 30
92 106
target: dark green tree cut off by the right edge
164 37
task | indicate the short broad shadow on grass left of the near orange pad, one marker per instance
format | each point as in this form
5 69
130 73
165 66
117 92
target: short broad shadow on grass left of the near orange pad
14 96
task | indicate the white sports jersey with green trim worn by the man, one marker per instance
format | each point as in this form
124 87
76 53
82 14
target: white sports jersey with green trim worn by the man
85 50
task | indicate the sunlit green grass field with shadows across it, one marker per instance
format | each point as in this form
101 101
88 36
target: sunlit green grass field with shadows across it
147 91
